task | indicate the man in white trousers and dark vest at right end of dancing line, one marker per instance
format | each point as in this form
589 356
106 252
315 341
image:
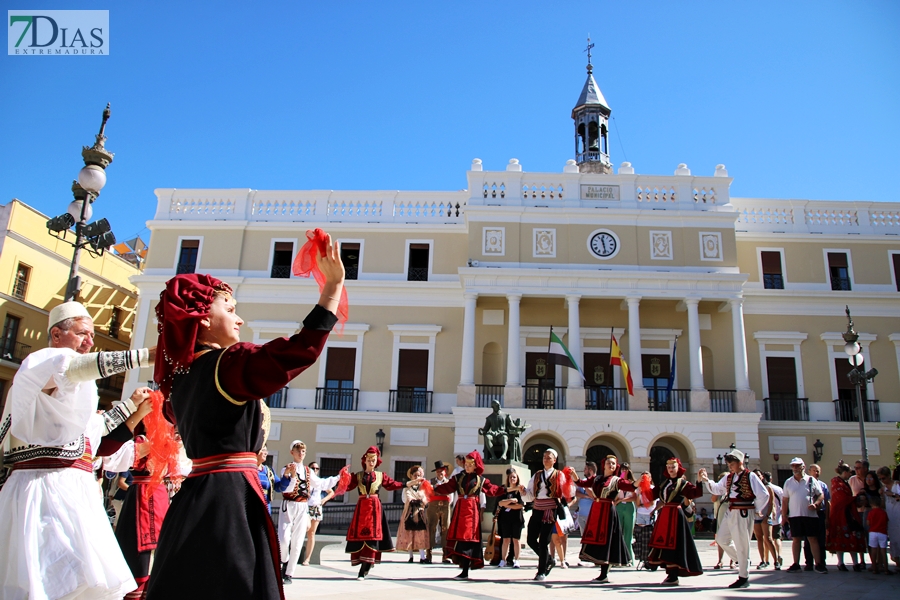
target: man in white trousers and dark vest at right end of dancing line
747 497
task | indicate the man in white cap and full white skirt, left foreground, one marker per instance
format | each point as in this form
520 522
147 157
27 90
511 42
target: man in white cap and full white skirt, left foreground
55 538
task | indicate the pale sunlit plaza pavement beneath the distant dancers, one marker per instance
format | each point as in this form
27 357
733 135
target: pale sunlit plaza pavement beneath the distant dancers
395 579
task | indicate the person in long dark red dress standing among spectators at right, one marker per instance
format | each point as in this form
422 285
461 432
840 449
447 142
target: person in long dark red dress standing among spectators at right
845 530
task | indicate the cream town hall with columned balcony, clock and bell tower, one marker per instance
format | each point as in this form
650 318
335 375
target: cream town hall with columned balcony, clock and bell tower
453 294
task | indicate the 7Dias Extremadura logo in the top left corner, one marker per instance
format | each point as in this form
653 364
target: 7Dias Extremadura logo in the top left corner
58 32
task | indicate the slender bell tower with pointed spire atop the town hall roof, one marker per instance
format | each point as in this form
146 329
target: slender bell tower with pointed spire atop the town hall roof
591 116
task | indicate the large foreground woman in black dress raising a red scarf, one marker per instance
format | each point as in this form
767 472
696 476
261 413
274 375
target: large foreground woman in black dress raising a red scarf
219 541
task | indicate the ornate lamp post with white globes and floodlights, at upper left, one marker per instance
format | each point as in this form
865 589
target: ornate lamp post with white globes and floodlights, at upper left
96 236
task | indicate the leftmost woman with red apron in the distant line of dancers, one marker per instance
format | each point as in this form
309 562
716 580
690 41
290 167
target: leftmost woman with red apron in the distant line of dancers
368 535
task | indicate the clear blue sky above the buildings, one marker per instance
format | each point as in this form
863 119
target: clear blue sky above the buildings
798 99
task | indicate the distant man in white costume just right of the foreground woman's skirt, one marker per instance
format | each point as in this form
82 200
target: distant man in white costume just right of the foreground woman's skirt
297 484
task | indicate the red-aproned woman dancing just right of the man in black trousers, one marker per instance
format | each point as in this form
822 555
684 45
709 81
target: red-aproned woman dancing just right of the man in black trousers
602 542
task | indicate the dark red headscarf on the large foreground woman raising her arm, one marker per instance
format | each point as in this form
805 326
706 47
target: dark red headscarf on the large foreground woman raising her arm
184 302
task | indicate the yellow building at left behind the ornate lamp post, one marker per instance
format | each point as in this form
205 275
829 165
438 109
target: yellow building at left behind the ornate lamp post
34 271
